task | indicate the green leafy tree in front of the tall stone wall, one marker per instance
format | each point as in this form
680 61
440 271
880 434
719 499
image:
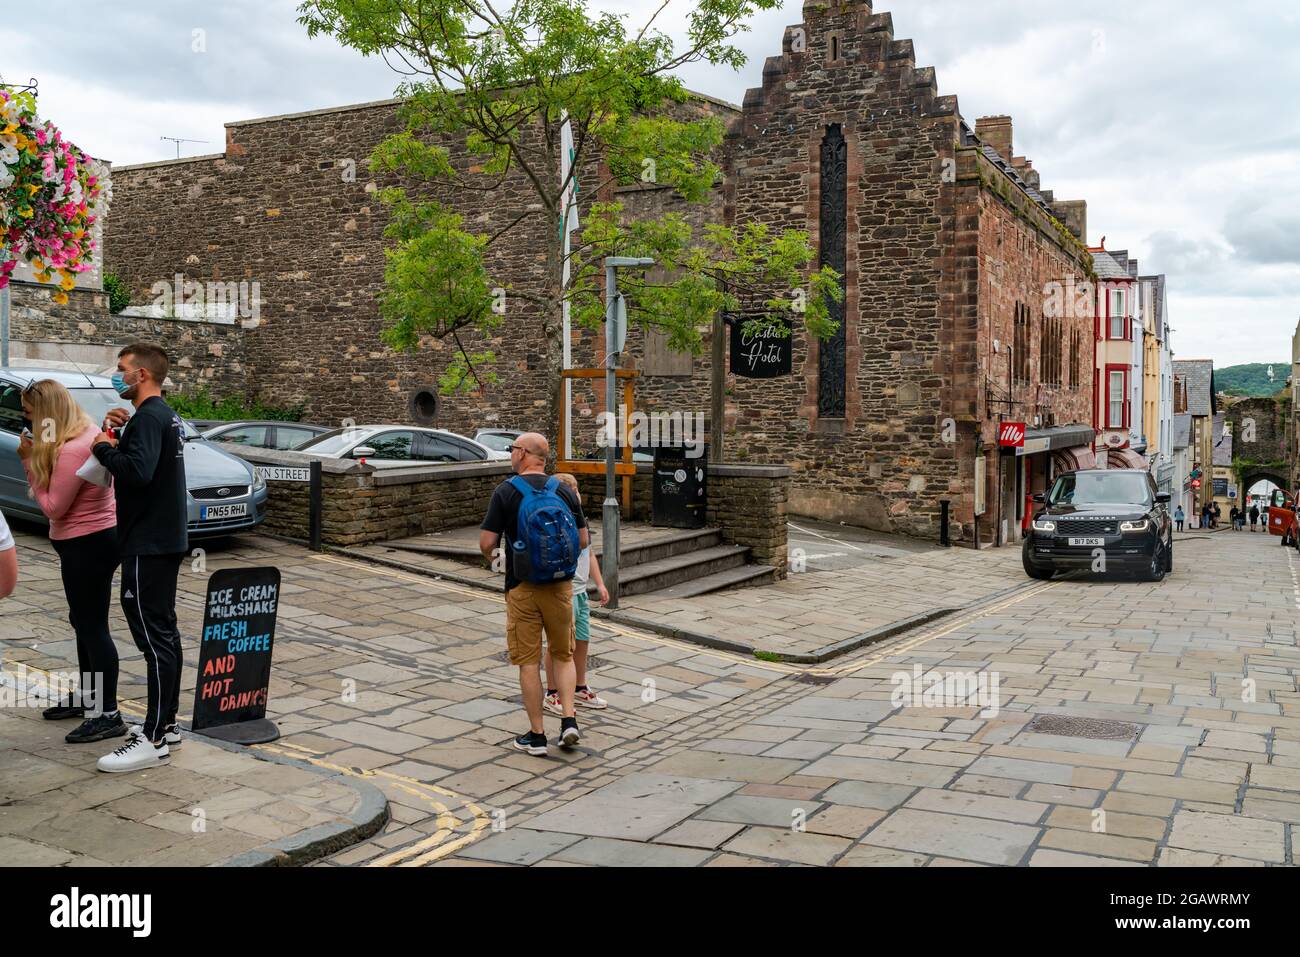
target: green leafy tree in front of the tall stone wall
502 81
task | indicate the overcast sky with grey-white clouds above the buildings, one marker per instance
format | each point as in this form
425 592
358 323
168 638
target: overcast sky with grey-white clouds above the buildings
1177 120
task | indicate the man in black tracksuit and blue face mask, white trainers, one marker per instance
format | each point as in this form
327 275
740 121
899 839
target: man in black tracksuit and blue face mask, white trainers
148 464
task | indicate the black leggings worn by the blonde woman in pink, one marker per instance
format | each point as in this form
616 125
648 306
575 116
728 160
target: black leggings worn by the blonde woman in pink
88 565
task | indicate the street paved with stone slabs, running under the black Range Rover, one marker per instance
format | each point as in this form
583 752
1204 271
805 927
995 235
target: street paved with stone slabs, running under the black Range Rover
1134 725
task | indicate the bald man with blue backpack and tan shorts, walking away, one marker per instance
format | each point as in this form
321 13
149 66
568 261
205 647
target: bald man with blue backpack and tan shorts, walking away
540 527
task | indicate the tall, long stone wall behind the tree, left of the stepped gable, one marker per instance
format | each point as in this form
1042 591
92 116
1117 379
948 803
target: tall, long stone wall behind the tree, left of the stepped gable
292 207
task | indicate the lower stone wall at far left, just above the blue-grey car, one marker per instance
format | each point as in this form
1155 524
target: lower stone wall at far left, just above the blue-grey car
86 334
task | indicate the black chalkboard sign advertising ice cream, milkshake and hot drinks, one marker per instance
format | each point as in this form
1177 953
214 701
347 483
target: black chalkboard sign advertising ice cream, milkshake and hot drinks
235 656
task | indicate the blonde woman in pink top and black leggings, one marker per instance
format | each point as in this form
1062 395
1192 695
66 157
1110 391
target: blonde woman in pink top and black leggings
84 531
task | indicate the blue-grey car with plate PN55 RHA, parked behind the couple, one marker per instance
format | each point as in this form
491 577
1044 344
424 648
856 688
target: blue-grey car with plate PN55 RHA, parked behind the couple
226 492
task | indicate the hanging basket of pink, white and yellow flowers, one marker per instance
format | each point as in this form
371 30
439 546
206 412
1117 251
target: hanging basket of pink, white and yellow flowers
51 194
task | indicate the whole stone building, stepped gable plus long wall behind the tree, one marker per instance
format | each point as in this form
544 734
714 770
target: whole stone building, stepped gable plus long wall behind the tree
957 266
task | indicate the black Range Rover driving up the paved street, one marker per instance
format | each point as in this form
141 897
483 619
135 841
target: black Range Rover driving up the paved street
1115 512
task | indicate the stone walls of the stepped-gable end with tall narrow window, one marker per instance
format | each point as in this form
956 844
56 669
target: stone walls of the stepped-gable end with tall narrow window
941 244
